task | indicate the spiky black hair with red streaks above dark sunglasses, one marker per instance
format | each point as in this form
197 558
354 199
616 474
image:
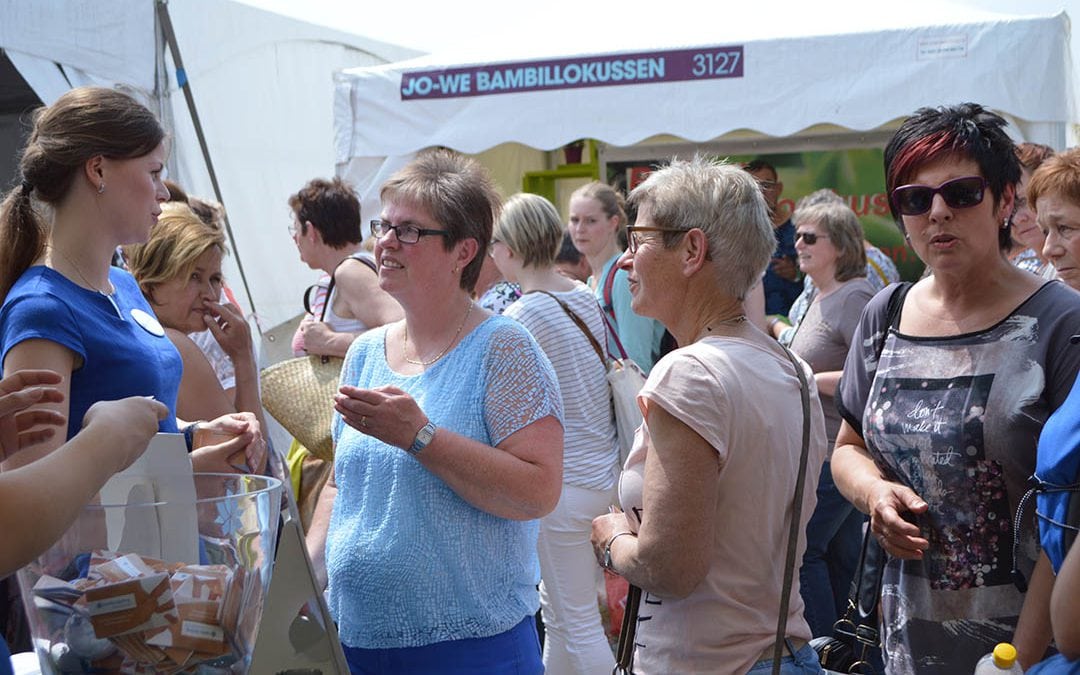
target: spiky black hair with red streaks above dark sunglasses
966 132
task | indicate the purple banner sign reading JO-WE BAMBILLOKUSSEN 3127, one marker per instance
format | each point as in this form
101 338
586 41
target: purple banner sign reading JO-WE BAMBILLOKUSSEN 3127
610 71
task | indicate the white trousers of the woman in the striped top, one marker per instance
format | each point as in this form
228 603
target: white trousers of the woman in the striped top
575 643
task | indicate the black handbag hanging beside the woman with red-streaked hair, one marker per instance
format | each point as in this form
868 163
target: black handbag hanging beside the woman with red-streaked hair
856 636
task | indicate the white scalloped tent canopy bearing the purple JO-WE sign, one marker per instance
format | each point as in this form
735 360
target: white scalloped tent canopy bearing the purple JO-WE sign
843 89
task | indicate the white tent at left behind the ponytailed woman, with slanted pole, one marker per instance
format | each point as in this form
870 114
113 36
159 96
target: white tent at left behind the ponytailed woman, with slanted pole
263 86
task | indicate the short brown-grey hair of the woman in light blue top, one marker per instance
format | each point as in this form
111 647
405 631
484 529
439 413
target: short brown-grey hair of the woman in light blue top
457 193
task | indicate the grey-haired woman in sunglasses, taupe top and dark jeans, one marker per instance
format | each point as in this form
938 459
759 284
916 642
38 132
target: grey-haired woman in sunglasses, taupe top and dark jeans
829 242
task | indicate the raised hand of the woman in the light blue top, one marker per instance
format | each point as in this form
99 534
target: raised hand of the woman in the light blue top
385 413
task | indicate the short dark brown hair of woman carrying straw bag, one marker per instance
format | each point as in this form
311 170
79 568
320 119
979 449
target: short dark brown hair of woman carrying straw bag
333 208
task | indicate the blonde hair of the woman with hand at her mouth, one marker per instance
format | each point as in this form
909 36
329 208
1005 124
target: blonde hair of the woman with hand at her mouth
177 241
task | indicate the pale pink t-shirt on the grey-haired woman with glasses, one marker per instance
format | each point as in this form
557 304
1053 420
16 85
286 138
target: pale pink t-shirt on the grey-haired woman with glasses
744 399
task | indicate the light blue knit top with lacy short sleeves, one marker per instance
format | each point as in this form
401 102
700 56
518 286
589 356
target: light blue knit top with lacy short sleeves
410 562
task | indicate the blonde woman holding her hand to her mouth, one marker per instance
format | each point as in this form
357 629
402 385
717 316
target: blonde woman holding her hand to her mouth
179 271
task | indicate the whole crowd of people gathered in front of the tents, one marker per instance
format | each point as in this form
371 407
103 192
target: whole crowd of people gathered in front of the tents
794 384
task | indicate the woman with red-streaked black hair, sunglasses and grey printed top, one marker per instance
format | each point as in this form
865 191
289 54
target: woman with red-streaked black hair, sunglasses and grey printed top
943 396
